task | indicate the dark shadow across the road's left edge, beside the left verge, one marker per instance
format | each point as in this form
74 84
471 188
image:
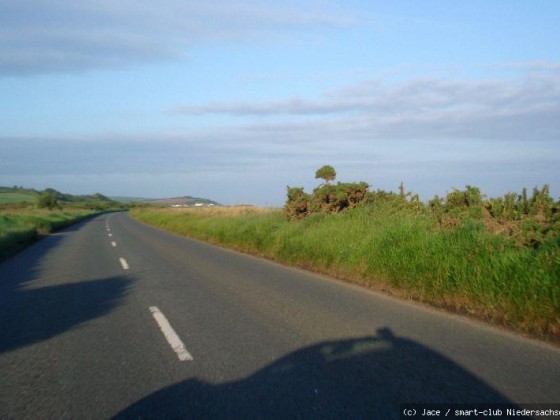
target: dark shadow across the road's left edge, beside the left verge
29 315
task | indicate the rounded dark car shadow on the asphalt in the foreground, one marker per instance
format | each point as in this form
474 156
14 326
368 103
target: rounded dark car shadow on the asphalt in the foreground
368 377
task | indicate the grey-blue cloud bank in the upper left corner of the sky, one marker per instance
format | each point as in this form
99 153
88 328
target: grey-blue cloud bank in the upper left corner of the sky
39 36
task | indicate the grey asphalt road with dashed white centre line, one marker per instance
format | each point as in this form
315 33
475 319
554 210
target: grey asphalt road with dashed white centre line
112 318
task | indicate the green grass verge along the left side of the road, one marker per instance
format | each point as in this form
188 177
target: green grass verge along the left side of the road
21 227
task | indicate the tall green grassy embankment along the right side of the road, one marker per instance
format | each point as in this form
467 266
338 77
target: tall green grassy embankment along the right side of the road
463 266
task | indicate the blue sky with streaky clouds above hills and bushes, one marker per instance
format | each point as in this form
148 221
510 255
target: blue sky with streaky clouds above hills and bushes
234 100
